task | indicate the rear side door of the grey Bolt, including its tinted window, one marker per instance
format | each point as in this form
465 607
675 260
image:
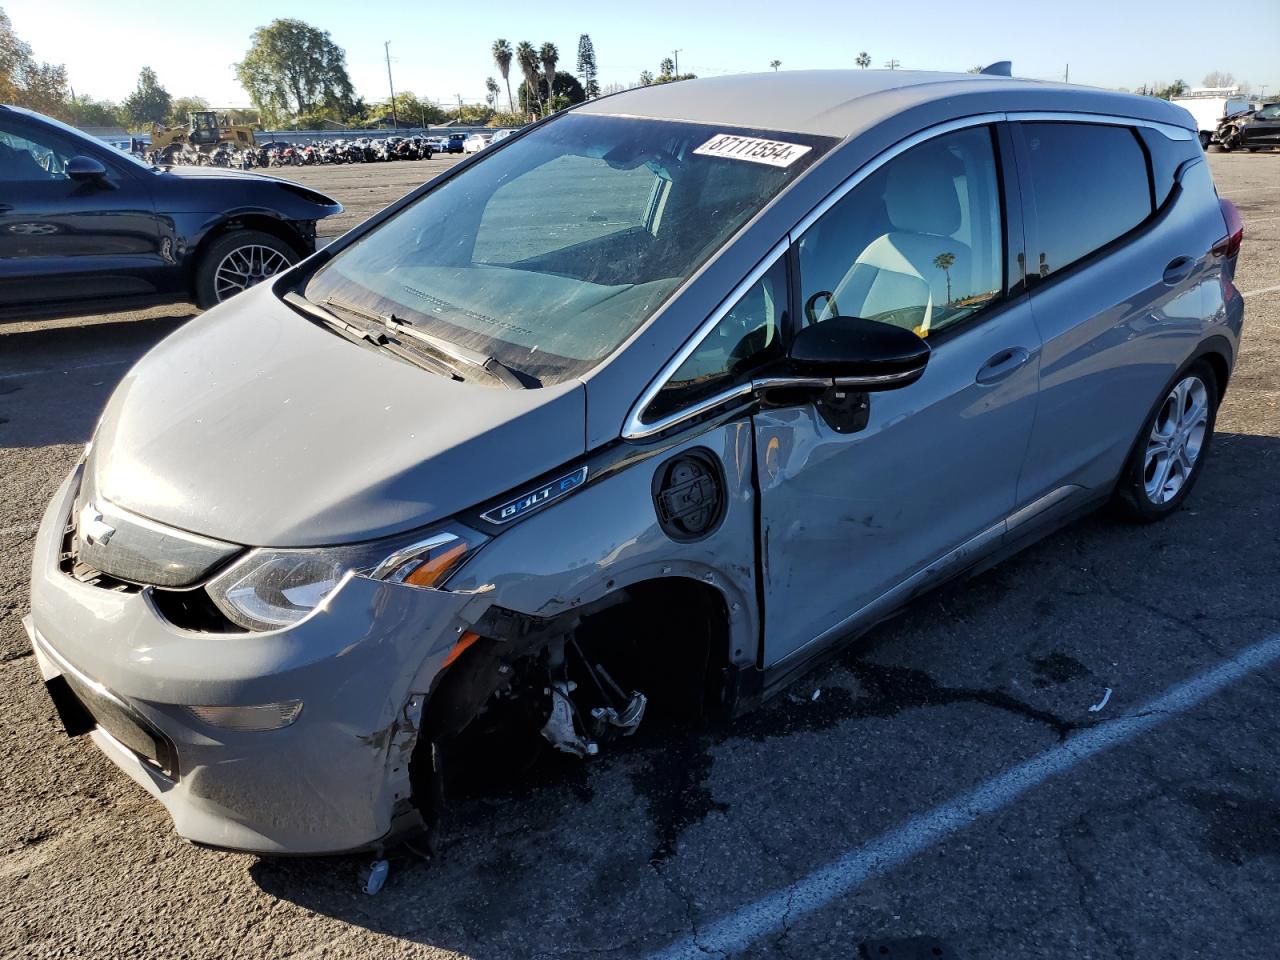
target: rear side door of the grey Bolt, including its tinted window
1118 264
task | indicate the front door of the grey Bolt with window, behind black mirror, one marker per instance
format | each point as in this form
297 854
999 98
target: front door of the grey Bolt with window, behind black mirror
854 518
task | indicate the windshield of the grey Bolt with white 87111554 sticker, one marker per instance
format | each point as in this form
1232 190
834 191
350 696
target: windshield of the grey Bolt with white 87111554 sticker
550 253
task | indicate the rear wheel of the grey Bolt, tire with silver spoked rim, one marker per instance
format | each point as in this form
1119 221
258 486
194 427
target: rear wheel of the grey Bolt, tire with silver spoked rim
1171 452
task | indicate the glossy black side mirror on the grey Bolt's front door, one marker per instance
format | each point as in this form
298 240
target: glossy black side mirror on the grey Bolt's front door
860 355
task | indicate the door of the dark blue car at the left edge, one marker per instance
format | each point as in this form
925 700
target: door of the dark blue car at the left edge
63 240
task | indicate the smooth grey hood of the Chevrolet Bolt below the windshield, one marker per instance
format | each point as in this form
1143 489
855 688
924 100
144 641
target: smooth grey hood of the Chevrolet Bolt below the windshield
257 426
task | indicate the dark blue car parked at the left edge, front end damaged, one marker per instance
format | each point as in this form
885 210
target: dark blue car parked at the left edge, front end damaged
84 225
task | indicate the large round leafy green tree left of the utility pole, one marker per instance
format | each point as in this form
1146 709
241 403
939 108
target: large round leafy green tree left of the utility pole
295 68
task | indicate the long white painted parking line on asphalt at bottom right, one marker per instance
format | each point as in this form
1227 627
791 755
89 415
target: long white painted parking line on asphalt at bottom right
815 892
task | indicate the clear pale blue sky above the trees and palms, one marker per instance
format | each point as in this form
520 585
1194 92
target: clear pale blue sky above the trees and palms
442 51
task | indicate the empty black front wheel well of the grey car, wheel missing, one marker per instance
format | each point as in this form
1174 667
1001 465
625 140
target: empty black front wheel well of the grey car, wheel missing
666 639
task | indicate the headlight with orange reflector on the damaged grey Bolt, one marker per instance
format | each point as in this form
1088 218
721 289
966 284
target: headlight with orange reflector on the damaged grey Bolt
271 589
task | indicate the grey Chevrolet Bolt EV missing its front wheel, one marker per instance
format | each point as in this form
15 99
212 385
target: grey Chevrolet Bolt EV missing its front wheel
698 382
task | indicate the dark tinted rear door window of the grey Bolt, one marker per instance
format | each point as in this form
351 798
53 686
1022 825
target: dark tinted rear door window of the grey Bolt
1091 185
